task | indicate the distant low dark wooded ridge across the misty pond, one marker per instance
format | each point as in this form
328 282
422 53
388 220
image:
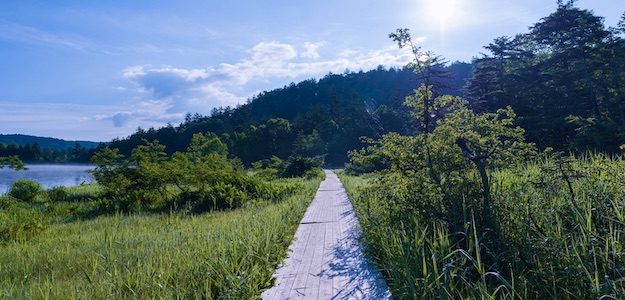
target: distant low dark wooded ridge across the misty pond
34 153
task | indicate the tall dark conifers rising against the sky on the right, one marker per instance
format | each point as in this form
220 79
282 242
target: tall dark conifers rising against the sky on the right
565 79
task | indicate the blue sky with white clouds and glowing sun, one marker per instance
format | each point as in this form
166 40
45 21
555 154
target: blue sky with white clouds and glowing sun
97 70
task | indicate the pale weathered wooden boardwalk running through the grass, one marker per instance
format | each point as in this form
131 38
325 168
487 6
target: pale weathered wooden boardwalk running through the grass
326 259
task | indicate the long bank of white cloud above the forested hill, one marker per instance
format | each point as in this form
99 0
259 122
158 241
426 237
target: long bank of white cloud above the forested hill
167 92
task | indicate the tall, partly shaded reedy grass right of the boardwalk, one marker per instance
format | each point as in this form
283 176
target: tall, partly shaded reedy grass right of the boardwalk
558 233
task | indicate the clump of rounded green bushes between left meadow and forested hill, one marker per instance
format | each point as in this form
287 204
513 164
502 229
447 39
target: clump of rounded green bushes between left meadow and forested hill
201 179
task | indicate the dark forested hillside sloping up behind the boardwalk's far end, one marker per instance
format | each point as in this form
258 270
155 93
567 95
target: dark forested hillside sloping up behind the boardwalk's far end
311 118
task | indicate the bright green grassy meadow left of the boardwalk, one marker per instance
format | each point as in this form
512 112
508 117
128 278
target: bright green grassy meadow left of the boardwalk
225 255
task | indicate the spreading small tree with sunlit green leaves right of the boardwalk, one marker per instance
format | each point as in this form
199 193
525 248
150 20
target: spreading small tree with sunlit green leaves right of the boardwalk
460 139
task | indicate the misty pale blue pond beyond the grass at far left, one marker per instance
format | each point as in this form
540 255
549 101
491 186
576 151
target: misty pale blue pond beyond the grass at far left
49 175
